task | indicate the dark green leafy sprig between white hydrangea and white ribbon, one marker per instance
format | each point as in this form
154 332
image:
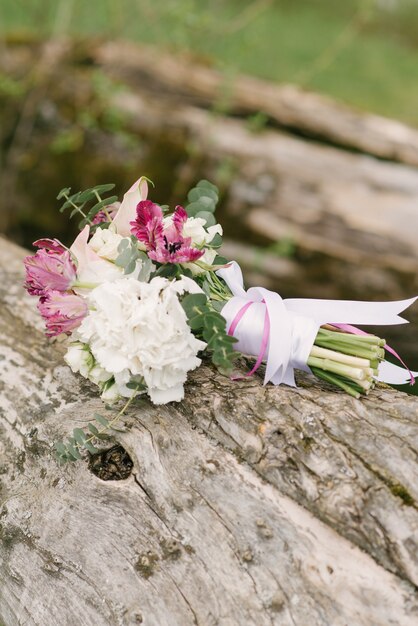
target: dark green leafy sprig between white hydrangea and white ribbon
211 326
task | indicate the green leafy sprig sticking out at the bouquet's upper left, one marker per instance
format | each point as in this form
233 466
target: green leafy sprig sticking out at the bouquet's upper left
81 202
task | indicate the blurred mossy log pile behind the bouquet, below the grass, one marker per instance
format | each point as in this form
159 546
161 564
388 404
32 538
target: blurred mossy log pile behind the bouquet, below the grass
348 219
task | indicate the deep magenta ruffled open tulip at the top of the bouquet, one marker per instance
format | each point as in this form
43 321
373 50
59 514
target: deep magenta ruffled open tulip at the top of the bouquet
164 244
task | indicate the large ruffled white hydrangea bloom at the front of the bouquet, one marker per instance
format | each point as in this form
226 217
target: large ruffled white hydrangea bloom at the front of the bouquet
140 329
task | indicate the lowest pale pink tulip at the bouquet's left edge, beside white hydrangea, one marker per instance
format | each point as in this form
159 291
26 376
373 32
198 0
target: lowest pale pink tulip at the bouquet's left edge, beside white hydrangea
62 312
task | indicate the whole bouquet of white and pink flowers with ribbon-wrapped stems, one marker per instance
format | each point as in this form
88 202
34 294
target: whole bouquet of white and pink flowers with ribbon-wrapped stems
142 293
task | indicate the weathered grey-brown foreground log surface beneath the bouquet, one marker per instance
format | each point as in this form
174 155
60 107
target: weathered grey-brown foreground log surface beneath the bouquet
246 505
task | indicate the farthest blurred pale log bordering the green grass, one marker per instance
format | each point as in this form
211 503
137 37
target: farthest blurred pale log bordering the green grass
286 106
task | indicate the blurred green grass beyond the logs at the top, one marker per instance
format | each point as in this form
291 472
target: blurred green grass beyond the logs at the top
362 52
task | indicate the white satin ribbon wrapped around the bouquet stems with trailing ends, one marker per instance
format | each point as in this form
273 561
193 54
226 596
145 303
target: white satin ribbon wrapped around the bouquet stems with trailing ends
284 331
